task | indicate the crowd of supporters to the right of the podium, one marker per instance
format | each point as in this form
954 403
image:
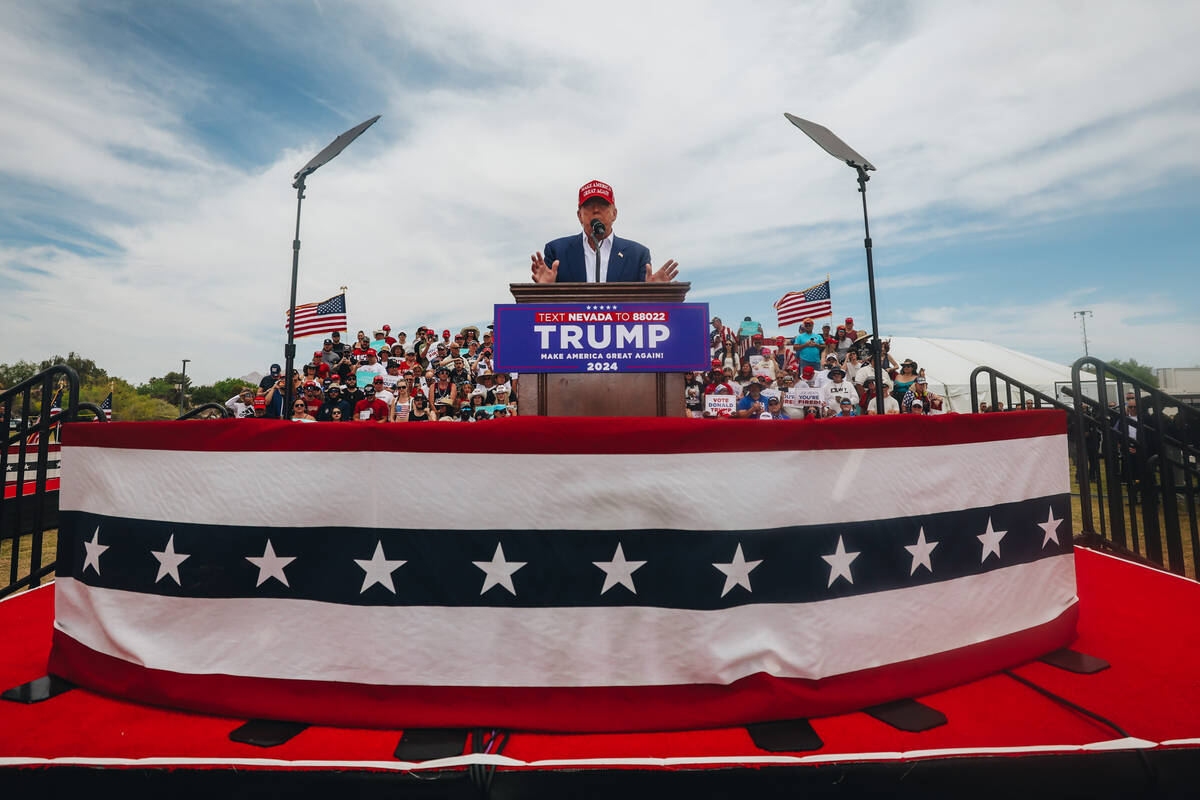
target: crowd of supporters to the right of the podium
818 374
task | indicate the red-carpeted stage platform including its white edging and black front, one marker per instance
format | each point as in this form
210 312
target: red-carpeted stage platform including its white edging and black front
1001 735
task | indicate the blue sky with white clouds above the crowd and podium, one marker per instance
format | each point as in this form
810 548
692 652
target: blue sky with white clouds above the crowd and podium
1034 160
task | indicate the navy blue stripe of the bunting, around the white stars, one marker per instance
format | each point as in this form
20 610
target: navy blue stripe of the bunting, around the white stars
560 569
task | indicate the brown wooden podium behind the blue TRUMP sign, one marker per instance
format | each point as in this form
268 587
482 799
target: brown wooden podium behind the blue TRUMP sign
584 394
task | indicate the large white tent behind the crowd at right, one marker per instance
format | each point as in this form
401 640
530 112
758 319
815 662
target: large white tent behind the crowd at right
949 365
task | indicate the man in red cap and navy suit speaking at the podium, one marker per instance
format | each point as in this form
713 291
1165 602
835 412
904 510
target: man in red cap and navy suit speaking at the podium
574 258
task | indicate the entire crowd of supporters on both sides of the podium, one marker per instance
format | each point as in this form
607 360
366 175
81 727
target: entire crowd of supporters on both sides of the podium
452 377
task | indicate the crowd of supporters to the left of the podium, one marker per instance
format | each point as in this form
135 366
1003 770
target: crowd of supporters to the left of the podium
389 380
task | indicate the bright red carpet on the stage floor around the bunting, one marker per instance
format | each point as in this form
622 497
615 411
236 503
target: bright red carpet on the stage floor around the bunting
1143 622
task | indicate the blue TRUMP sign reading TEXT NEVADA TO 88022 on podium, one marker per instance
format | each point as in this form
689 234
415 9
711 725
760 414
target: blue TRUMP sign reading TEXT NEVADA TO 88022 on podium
602 338
